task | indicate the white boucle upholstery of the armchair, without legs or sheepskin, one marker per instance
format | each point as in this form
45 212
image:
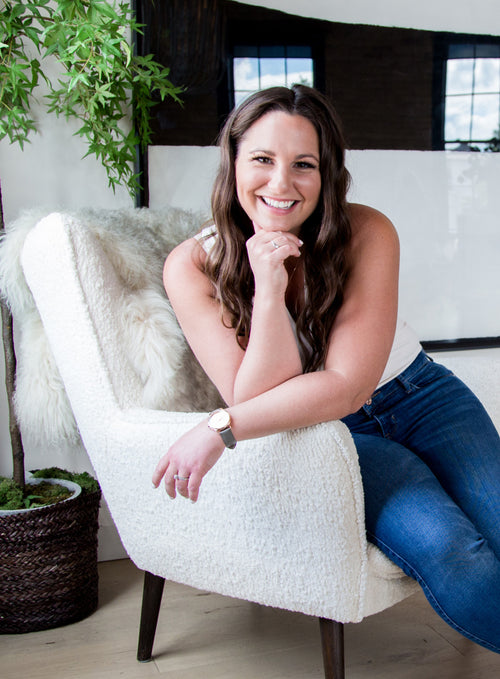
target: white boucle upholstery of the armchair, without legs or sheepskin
279 521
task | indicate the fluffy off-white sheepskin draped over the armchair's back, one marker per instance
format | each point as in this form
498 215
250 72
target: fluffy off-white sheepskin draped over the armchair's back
136 241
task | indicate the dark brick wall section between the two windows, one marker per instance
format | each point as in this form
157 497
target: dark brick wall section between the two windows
380 80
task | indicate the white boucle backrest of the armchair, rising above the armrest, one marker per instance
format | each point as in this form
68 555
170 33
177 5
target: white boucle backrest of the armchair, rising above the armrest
68 272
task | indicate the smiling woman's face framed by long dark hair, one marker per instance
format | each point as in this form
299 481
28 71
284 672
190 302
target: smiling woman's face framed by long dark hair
278 182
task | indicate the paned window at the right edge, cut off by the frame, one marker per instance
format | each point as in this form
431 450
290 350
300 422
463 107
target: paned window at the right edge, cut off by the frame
472 98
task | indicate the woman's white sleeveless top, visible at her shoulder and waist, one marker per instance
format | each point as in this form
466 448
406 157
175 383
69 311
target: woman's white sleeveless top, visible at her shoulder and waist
405 347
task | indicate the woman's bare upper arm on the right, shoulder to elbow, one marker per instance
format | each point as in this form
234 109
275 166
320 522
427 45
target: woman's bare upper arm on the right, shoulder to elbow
363 331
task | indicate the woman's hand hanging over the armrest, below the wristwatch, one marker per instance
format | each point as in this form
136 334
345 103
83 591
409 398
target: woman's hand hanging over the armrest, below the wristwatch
189 459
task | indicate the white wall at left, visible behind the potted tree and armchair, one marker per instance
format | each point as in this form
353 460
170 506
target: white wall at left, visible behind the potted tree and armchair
51 173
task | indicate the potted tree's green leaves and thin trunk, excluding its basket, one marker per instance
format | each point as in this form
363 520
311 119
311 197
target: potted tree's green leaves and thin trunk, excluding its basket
101 83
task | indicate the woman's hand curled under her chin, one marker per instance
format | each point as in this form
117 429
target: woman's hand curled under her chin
267 253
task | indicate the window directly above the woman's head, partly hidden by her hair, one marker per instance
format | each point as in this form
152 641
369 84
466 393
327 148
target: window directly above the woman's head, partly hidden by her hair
257 67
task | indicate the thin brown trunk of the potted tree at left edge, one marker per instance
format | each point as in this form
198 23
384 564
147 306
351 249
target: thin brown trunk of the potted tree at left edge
10 379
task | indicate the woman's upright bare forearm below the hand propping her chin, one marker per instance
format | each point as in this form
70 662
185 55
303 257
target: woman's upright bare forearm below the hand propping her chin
272 355
